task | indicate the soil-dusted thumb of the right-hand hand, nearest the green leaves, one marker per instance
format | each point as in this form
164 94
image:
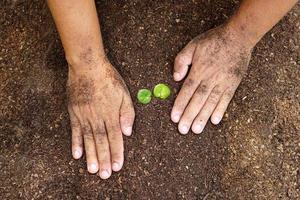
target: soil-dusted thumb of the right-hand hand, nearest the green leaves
183 60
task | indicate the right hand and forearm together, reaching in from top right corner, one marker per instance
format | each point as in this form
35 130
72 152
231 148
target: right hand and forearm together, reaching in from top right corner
219 59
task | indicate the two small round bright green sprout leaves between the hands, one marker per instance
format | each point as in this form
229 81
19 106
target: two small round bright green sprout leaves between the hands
161 91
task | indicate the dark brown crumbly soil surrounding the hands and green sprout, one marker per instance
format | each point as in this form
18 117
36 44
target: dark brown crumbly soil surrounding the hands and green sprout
253 154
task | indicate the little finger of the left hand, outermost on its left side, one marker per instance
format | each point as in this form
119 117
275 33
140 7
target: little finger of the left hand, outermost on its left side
77 141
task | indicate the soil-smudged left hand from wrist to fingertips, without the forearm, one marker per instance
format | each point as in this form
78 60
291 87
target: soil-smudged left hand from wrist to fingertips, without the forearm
100 109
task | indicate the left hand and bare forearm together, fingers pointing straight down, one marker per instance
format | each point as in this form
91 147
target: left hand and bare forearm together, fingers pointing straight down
100 106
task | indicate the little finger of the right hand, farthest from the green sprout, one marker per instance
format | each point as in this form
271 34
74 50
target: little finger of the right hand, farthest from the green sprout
222 106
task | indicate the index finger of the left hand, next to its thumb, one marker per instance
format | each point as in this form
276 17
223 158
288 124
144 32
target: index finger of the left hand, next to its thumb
115 142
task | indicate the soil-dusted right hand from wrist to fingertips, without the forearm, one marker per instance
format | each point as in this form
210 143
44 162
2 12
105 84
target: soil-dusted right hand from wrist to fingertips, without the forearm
219 59
